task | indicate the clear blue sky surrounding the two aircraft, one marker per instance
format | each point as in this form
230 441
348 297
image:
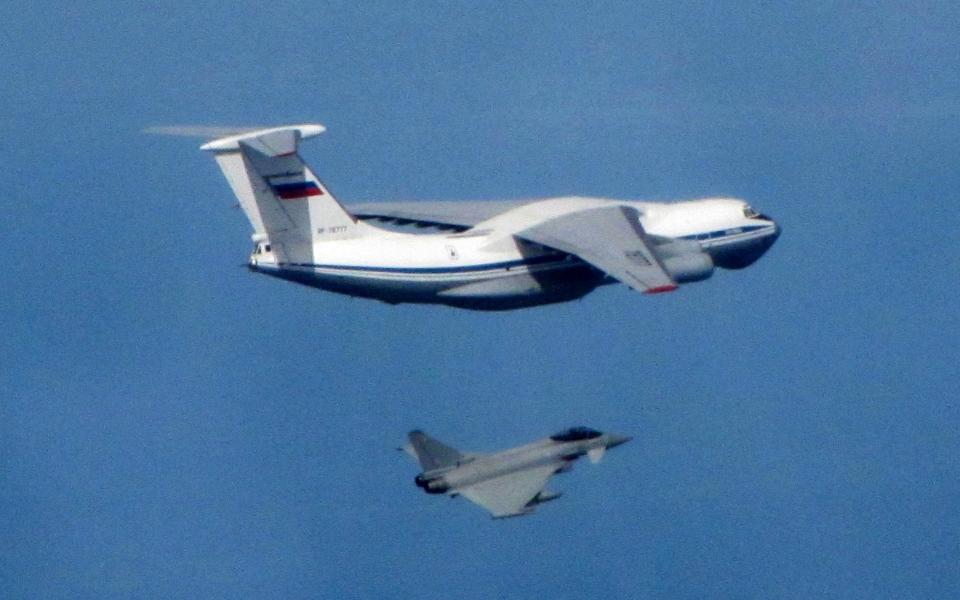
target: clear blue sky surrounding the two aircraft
174 426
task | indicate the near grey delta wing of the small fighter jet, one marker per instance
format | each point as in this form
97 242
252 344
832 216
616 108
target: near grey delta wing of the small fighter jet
510 495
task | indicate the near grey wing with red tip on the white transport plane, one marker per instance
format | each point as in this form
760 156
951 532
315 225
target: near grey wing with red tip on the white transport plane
611 239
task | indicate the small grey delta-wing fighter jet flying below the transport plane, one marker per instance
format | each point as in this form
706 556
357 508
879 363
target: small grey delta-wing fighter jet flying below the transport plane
510 483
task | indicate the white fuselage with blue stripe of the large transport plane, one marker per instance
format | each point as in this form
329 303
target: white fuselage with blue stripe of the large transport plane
487 267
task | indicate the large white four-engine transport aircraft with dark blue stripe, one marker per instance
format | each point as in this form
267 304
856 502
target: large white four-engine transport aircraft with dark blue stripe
478 255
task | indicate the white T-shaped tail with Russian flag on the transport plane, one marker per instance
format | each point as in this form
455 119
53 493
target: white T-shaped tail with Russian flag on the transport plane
287 205
